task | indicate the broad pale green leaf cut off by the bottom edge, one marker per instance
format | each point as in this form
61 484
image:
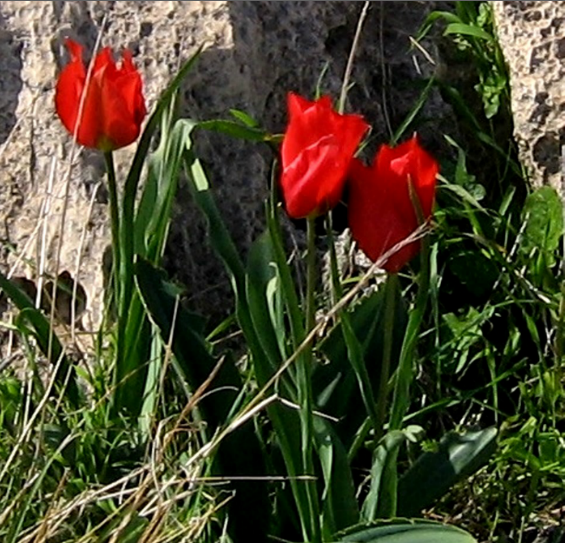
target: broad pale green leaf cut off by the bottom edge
405 531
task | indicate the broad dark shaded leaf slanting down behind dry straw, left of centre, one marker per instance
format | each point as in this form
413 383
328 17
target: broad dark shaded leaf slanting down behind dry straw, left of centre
239 454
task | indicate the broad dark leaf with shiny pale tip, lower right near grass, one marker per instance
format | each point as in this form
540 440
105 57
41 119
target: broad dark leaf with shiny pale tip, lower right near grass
434 473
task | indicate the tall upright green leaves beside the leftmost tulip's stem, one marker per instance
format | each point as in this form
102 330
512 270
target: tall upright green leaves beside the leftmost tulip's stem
133 335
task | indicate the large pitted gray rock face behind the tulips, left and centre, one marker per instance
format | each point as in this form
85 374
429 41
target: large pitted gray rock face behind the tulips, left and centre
255 52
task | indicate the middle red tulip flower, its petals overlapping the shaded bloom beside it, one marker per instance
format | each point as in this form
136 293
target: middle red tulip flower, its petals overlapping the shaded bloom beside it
317 150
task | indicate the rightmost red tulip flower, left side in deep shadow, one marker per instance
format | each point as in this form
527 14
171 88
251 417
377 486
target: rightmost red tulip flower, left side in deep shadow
381 211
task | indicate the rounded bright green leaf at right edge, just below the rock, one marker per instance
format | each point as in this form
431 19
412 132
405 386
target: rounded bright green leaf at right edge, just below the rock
543 218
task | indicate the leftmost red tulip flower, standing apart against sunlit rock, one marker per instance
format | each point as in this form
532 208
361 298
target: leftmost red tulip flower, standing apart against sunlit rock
113 105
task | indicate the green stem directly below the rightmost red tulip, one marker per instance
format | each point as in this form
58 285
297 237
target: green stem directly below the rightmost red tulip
391 286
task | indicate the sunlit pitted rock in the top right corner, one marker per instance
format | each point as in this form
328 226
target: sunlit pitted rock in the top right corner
532 36
